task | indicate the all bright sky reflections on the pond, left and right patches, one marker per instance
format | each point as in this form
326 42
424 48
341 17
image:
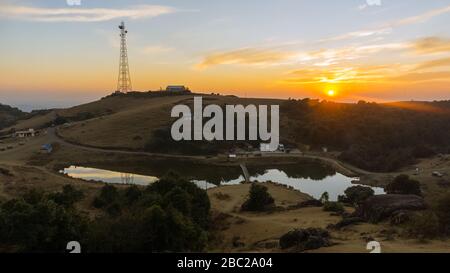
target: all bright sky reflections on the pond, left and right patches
334 184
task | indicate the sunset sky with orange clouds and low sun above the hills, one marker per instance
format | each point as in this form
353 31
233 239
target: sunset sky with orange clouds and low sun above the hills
55 53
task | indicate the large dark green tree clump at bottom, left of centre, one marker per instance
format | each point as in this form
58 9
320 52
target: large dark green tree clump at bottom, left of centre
171 214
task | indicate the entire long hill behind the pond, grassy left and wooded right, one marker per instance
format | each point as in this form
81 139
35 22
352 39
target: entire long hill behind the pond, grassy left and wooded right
377 137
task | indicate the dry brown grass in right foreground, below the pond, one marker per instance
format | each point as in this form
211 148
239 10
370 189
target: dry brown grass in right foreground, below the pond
260 232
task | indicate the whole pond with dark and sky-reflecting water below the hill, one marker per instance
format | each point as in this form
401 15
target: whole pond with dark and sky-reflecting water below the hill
308 177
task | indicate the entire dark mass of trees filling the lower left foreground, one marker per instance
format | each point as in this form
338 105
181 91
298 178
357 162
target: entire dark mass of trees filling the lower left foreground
170 215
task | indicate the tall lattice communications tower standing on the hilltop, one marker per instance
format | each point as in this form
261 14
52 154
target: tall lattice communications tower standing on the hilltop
124 80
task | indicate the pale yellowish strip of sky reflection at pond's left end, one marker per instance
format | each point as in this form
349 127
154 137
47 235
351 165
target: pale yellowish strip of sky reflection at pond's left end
108 176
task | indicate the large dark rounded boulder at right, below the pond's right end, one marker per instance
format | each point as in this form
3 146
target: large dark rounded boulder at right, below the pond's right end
380 207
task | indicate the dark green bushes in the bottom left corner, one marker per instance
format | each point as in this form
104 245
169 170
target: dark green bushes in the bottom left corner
38 224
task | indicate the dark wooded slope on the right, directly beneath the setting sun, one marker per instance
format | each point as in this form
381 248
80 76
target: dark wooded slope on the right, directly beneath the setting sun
377 137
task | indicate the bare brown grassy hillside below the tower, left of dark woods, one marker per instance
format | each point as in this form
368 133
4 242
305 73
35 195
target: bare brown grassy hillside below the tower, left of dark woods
125 121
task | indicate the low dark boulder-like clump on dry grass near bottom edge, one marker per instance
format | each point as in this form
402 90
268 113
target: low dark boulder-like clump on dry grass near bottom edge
305 239
